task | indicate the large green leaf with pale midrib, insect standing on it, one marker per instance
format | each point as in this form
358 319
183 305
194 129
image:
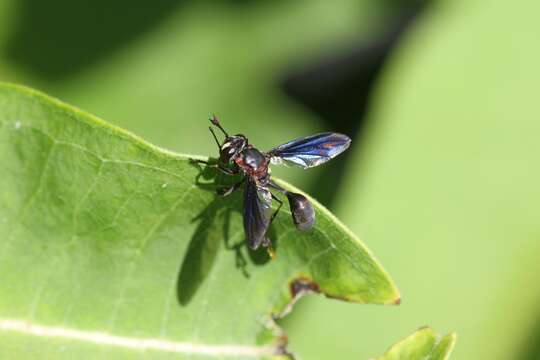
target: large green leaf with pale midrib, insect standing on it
111 246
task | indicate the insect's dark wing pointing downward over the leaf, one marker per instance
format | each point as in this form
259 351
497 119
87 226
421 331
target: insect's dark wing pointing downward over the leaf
257 213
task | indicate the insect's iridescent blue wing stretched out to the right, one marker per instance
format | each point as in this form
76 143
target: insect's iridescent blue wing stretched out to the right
312 150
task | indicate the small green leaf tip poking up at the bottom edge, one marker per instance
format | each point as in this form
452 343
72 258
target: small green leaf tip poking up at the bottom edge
424 344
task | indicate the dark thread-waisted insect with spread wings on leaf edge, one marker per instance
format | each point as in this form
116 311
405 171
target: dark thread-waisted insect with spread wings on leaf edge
238 156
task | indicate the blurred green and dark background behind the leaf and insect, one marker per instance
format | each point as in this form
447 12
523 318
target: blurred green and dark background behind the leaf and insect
440 98
